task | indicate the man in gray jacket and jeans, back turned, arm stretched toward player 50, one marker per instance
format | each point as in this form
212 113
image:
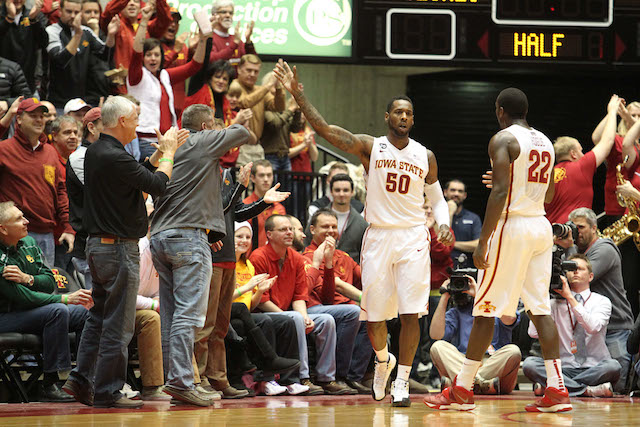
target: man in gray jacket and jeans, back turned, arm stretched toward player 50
185 217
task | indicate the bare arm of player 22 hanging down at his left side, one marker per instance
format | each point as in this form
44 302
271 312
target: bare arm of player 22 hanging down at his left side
501 160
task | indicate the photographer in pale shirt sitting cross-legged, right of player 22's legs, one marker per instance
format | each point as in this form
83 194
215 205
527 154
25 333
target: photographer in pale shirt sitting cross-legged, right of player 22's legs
581 317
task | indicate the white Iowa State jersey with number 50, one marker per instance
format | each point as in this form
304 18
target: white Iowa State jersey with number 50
395 184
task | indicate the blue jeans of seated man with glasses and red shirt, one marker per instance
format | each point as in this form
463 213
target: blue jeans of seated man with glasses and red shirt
324 335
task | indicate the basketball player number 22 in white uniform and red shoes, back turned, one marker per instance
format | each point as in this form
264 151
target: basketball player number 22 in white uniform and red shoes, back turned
514 254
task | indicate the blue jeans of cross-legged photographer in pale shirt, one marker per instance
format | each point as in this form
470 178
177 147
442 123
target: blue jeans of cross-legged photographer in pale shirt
575 379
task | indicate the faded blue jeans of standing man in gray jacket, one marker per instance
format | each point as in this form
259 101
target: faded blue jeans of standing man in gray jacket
182 258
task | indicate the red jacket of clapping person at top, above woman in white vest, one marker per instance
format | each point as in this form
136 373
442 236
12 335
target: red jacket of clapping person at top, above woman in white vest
126 33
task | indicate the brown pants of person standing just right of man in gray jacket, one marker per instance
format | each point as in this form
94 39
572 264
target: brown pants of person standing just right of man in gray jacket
209 346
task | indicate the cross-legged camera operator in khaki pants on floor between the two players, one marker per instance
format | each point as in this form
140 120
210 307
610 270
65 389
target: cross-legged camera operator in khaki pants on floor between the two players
499 371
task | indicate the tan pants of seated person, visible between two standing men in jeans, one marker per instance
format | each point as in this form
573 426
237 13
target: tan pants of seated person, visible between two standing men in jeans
150 349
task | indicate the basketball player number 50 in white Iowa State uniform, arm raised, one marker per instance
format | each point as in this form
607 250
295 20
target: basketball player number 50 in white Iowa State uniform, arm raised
395 250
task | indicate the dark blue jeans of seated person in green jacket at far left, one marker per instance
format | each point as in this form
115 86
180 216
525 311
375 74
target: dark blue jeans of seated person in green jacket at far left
53 322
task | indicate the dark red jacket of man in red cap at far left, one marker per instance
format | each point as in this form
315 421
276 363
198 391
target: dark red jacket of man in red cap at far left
31 179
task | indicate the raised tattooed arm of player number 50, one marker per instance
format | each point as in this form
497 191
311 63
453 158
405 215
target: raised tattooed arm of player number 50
359 145
